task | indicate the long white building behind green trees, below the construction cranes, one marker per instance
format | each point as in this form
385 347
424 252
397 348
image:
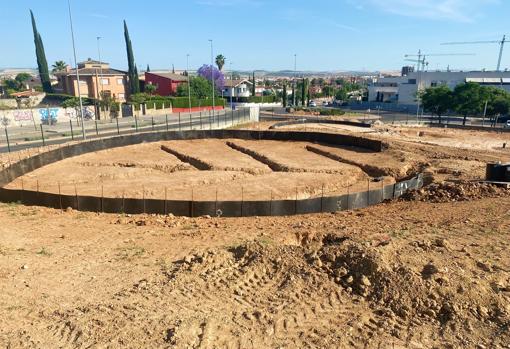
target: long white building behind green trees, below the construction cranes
403 89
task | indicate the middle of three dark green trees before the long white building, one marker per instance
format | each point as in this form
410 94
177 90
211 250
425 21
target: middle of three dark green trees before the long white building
468 99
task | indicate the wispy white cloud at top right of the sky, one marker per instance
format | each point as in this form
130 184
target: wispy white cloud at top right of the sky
452 10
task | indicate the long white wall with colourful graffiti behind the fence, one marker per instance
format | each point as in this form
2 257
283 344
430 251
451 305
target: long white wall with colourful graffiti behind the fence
29 117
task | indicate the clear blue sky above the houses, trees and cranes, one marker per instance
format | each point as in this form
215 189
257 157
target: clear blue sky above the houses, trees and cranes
260 34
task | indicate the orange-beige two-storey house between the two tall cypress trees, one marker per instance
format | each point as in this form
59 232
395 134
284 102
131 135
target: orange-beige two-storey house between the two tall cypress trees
96 79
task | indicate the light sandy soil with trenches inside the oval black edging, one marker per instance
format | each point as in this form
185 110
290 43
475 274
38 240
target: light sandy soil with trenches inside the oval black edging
202 170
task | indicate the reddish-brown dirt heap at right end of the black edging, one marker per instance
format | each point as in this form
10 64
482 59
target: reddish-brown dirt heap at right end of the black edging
450 192
